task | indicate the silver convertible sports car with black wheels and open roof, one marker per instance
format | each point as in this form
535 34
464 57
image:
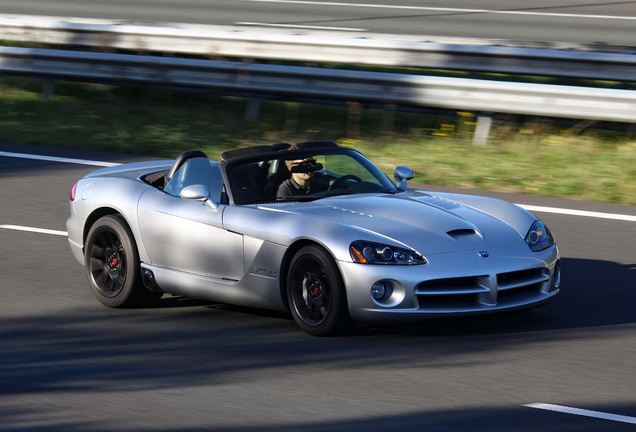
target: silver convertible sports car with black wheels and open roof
315 229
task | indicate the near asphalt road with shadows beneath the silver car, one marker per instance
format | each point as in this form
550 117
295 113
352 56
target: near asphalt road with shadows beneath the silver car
69 364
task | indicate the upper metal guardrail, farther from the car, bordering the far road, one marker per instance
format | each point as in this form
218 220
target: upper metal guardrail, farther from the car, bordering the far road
554 59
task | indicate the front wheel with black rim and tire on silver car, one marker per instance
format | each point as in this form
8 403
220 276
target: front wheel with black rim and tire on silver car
316 294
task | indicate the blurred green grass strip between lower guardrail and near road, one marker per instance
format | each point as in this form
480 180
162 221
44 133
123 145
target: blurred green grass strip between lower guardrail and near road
533 156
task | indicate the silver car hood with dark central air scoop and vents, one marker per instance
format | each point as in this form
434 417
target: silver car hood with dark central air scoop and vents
424 222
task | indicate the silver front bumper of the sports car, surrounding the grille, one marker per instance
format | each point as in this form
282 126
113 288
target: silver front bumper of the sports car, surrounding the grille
453 284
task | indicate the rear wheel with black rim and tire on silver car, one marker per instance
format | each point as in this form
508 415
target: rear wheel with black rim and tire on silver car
112 265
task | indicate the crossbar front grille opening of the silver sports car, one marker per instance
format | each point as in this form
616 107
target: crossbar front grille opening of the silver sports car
483 291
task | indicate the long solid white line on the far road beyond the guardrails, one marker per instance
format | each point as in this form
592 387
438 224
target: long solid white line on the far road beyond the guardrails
449 10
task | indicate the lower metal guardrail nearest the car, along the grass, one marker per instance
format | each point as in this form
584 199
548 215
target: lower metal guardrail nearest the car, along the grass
319 83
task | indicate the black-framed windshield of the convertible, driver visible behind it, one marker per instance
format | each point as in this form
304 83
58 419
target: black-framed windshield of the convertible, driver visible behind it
306 177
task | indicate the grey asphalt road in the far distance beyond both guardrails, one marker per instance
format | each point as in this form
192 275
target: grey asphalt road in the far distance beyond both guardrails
572 21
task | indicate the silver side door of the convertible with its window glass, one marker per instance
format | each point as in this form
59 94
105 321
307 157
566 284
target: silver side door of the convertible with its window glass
187 235
